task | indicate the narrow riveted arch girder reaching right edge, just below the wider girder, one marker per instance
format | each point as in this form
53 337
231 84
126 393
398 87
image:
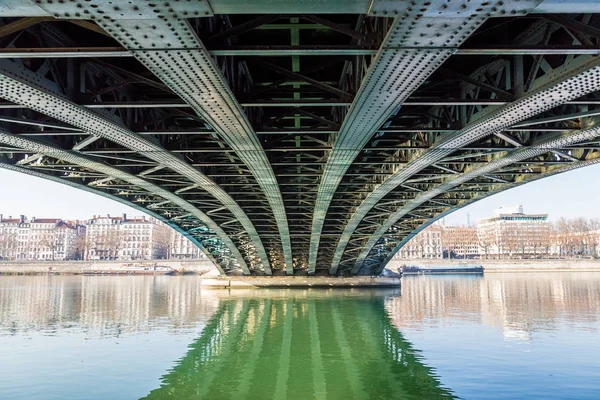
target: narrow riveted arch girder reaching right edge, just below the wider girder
522 153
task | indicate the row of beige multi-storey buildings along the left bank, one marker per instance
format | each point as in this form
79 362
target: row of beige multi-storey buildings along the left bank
104 238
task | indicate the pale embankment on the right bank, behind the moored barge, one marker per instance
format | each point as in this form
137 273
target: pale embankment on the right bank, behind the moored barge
492 266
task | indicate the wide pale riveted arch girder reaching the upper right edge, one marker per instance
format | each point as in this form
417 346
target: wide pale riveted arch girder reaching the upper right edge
570 81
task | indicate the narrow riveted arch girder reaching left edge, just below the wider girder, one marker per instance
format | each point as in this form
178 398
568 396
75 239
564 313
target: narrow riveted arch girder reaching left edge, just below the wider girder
71 157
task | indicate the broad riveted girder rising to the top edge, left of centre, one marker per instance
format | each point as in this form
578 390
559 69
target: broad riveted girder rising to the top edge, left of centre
161 38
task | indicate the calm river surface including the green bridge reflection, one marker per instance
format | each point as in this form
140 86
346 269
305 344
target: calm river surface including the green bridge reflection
499 336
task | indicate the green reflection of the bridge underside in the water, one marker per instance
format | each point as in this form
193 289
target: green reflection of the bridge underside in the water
304 346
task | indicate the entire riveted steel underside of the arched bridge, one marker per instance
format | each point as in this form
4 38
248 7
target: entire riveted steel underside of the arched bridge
312 137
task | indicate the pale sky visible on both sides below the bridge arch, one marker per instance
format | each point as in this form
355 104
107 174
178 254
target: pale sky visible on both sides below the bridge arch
572 194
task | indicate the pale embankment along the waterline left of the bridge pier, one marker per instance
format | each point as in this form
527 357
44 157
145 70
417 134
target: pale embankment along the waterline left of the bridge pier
198 267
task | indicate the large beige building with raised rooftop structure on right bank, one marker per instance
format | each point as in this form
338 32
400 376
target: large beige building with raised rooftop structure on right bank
512 233
